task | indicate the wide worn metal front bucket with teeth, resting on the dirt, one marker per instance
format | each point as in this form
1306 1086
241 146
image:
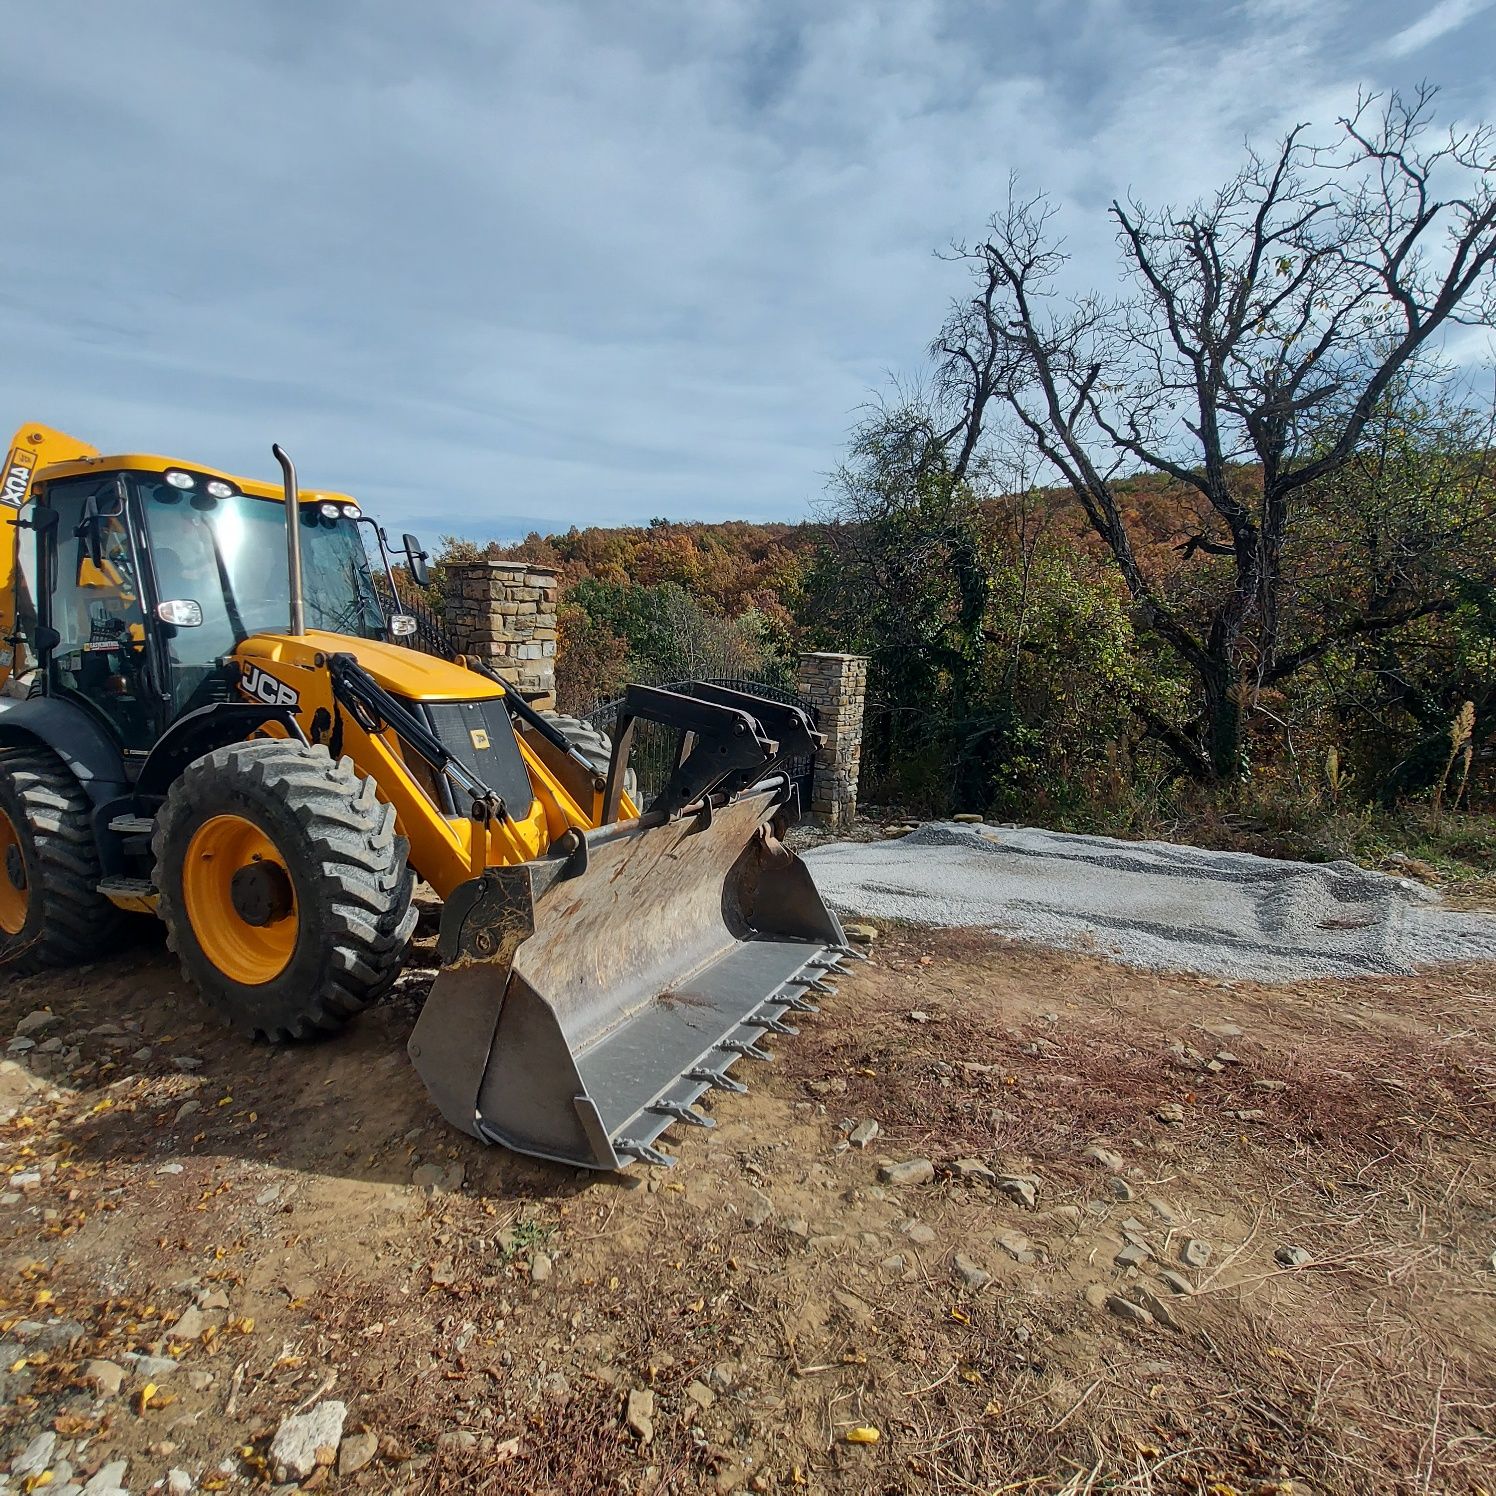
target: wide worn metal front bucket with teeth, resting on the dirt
589 1000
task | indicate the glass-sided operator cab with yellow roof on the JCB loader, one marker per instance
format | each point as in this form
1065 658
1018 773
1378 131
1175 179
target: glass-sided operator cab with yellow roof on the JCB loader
147 575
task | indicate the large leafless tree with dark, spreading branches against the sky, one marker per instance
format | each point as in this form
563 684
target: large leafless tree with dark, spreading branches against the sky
1266 327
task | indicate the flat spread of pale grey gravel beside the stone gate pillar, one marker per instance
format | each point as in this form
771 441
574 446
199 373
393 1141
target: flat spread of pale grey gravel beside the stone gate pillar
1153 904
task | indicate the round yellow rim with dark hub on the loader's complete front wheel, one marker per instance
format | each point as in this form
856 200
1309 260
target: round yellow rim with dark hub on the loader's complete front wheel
240 900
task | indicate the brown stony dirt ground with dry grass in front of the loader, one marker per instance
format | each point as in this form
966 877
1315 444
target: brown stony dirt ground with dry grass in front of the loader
499 1325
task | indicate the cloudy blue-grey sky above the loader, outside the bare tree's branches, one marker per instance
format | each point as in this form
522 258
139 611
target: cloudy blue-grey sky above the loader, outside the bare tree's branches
515 266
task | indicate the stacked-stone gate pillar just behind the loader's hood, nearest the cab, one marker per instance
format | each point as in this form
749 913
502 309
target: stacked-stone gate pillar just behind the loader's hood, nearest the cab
506 614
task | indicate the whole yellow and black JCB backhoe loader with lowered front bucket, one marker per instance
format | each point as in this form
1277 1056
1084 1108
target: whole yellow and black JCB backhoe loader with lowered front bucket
222 729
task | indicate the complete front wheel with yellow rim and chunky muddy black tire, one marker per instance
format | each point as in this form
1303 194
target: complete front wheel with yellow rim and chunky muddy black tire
283 888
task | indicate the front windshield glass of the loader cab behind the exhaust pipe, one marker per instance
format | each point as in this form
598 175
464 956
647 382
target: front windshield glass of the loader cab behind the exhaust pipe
230 557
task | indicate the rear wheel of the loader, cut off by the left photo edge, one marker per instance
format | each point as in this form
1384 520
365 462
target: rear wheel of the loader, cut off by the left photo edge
52 912
